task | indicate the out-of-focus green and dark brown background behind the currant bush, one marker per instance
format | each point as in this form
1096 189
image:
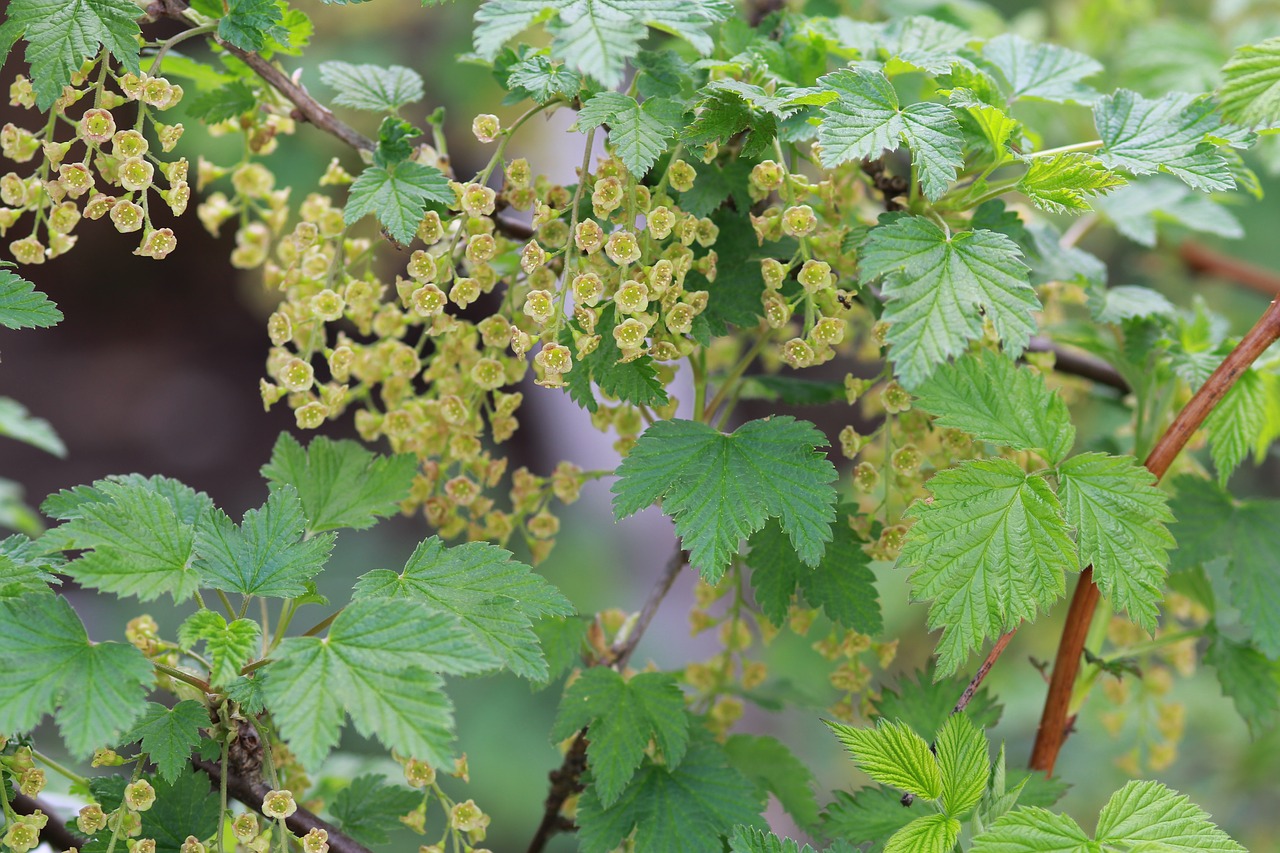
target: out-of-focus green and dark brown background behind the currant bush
157 367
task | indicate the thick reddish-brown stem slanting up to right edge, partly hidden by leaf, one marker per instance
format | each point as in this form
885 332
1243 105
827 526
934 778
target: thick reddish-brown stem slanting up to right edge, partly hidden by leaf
1067 665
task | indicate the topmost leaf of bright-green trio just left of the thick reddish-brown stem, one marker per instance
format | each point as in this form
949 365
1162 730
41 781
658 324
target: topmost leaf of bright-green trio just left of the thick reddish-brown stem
996 402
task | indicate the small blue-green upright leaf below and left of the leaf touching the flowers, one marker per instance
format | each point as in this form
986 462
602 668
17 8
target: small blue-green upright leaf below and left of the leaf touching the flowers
267 554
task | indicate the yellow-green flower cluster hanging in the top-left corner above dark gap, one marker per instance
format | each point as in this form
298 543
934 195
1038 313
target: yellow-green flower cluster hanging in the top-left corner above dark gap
102 171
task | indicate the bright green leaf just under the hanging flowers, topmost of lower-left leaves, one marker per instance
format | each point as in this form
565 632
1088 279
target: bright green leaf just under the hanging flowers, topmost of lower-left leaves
341 485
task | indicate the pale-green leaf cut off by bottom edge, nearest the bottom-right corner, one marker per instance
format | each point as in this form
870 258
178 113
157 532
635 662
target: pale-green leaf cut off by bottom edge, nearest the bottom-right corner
1148 814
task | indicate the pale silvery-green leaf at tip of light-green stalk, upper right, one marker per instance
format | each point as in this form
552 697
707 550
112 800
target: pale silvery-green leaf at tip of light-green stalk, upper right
1167 135
